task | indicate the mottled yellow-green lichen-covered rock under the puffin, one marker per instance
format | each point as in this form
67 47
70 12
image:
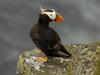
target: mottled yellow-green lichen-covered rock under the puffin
85 61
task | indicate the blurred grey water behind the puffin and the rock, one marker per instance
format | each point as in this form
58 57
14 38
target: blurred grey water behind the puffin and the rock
81 25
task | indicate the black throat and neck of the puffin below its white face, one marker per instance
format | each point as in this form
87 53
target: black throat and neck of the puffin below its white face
44 20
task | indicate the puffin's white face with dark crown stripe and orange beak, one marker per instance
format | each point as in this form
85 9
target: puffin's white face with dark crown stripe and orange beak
52 14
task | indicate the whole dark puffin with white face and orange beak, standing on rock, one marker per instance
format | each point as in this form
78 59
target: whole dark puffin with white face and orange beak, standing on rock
45 37
